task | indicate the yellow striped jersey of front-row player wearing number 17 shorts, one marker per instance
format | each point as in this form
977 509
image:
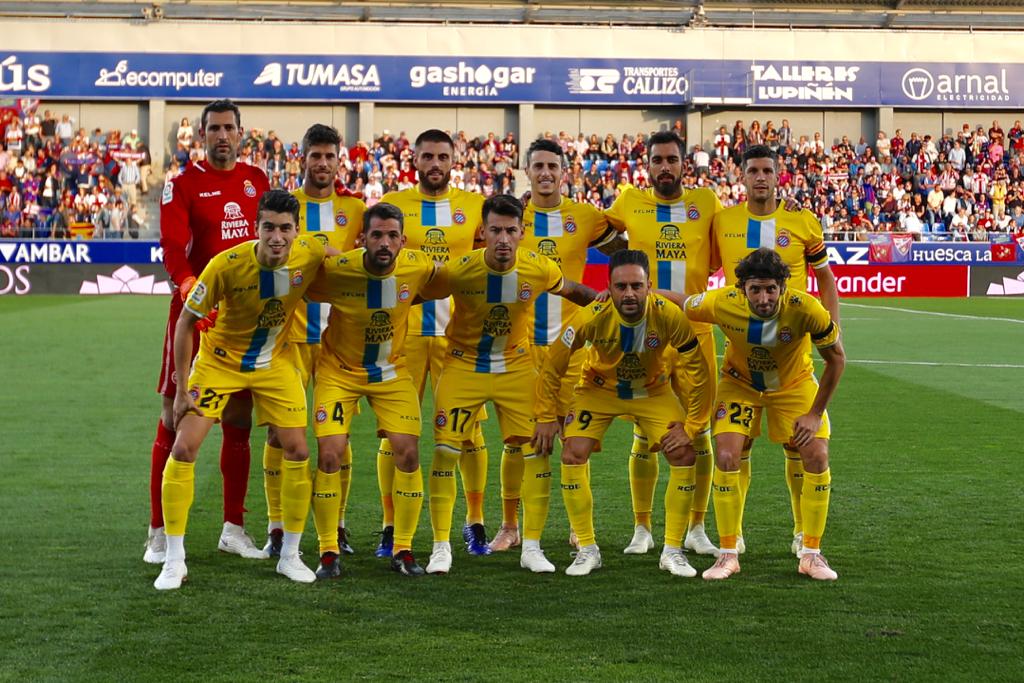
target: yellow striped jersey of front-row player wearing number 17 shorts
490 326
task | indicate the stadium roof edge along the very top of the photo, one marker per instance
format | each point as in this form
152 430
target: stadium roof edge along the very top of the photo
954 15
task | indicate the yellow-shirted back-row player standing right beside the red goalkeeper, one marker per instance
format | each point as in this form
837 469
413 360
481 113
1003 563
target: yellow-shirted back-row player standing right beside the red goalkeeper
335 222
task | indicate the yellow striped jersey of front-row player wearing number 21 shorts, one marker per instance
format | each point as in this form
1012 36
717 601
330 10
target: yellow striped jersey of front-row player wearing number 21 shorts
255 304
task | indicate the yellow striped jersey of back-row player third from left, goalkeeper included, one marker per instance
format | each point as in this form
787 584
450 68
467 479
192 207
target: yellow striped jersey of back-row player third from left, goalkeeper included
443 227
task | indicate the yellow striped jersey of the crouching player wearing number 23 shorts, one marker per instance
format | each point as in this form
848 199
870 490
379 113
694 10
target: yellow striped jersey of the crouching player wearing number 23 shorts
766 354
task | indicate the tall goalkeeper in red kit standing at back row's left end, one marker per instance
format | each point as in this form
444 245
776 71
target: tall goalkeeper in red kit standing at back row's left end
209 208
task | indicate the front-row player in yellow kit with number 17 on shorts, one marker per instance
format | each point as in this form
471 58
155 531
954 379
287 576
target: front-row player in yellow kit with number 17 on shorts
494 290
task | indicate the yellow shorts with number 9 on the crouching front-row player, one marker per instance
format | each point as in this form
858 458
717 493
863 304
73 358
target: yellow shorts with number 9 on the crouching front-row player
593 410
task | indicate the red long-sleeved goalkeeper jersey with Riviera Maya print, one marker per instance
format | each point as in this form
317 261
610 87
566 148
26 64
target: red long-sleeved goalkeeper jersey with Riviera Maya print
205 211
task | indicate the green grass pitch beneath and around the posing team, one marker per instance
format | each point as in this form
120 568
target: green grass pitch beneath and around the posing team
924 532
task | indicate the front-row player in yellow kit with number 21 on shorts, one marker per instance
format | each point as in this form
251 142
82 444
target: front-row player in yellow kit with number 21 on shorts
258 286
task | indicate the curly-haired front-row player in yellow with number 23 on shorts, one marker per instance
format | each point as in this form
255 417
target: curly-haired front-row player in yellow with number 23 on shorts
767 368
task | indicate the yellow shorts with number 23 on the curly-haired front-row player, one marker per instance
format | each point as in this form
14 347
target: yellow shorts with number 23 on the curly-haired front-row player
739 410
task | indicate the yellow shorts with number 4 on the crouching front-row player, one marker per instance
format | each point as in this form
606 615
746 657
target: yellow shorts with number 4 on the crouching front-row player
336 398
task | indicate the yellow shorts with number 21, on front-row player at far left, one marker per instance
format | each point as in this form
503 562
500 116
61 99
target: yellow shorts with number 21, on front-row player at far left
278 393
